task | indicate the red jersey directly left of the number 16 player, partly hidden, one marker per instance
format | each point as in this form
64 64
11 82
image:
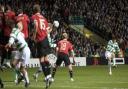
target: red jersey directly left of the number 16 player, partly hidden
23 18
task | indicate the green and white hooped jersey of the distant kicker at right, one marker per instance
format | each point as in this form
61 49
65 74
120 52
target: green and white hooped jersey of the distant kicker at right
113 46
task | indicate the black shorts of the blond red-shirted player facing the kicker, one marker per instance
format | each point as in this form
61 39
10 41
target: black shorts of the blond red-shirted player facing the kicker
62 57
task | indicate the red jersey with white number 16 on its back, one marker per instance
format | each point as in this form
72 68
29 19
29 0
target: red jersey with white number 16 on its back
41 25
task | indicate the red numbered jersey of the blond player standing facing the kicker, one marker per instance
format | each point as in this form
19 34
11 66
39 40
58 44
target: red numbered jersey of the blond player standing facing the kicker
64 46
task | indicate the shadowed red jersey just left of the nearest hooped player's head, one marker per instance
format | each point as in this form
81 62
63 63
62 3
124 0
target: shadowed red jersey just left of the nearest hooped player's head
8 15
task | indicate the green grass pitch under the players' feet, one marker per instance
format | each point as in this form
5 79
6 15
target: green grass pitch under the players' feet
89 77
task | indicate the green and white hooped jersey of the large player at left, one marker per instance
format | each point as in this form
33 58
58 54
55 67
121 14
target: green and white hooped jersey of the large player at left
17 37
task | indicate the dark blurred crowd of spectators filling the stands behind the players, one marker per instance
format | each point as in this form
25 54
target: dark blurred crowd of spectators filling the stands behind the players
101 16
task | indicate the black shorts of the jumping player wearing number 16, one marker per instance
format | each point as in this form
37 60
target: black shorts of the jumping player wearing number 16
43 48
